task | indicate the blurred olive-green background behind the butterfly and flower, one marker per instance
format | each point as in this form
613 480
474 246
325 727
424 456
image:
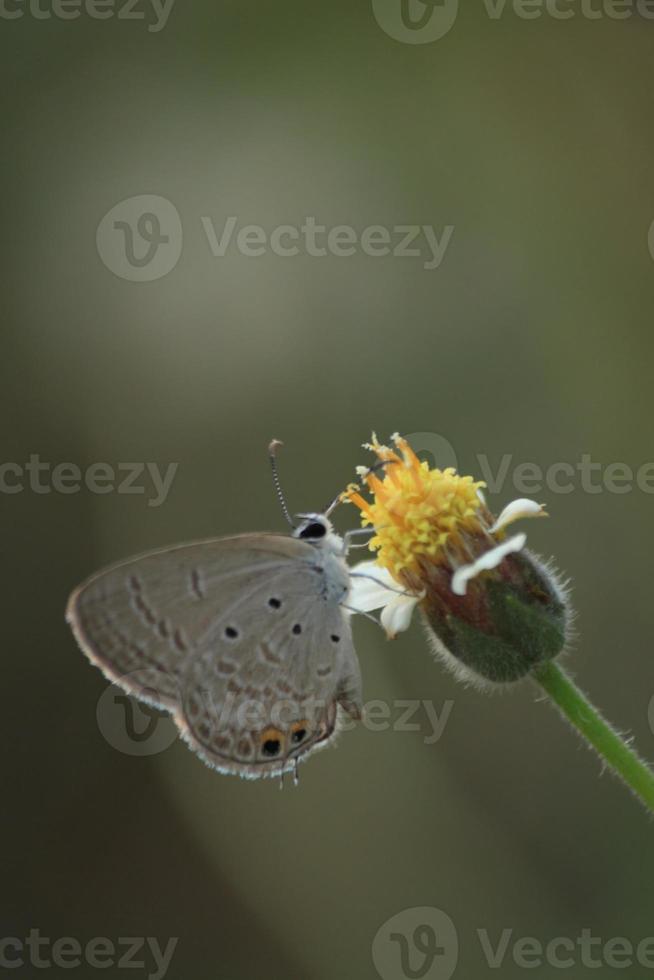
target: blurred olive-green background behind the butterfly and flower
533 337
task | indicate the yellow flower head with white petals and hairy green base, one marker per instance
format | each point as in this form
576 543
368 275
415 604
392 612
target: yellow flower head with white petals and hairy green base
437 545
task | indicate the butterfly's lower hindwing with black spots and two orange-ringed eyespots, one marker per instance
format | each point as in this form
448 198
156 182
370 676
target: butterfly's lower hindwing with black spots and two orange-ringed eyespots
268 686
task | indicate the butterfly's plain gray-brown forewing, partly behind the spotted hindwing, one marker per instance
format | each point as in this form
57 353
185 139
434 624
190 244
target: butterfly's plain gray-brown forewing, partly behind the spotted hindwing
140 619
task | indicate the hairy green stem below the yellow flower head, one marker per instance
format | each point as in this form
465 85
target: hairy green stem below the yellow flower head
610 746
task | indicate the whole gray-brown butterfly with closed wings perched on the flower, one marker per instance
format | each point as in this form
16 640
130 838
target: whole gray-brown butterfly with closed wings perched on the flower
245 640
